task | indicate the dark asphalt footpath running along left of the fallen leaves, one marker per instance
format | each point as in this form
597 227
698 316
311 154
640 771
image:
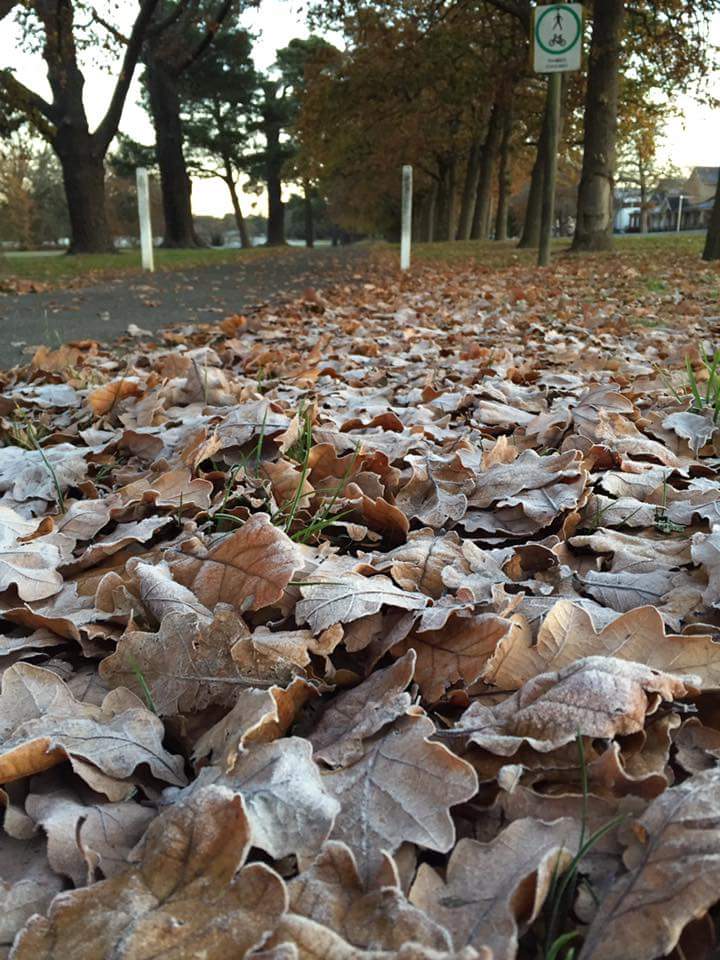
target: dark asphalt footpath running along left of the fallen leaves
152 301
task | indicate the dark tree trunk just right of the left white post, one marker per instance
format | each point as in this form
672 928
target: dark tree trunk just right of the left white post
174 180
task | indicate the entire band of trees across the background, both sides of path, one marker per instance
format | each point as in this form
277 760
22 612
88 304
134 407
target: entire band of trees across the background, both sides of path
442 84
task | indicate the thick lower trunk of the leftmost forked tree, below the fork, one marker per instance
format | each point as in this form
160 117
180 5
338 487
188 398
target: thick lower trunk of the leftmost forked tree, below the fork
84 180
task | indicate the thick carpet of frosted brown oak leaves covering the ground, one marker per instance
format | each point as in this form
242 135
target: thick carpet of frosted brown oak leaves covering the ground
379 624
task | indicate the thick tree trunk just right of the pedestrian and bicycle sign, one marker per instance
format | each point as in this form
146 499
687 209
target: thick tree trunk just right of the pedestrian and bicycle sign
593 230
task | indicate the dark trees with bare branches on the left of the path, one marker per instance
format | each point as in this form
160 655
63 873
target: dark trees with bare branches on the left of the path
213 113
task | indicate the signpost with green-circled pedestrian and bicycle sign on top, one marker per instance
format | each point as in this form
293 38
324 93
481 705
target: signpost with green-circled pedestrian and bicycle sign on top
557 31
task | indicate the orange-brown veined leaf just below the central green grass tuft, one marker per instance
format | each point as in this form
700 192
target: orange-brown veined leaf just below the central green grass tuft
249 568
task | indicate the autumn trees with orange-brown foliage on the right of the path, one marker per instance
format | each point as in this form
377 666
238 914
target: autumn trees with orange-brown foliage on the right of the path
447 86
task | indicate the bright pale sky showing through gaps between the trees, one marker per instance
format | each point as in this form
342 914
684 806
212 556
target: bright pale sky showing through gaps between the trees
691 138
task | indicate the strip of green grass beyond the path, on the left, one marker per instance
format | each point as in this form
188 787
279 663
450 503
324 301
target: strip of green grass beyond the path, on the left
57 270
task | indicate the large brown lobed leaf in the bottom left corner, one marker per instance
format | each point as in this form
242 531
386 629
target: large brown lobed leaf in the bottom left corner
183 898
